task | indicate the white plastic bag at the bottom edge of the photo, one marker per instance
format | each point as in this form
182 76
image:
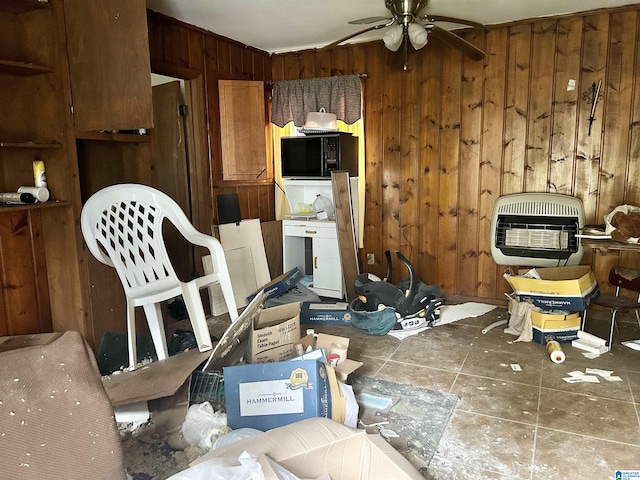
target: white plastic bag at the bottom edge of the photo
223 469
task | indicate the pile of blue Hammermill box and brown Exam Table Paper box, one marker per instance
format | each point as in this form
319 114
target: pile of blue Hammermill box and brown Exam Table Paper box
279 386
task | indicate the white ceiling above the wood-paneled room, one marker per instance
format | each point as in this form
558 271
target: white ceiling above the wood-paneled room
278 26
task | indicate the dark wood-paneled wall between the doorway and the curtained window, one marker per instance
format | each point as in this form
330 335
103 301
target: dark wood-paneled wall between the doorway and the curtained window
184 51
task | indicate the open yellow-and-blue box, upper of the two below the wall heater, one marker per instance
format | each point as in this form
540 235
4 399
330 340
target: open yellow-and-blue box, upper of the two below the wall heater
560 288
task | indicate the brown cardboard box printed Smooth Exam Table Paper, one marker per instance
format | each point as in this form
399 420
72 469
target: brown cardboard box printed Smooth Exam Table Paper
274 333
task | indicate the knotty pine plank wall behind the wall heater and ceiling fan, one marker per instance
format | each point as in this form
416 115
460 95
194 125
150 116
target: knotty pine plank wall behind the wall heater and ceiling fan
449 136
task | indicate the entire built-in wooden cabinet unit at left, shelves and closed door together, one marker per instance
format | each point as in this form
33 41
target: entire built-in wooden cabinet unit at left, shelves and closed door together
66 63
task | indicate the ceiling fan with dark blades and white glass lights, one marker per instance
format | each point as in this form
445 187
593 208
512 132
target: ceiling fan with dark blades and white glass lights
408 24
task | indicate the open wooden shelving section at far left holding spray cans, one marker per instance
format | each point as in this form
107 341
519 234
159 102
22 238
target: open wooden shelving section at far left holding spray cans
39 263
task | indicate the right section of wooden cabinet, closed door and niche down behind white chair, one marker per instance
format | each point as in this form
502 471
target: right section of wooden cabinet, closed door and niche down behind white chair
110 80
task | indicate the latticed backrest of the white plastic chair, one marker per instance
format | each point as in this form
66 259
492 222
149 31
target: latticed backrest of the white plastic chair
122 226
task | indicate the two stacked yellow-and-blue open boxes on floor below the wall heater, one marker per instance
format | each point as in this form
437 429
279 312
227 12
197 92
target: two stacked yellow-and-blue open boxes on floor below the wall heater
561 293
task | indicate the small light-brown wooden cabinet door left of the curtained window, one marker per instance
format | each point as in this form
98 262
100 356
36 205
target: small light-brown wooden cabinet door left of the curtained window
242 125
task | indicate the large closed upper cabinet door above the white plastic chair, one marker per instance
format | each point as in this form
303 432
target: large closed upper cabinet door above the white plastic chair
108 51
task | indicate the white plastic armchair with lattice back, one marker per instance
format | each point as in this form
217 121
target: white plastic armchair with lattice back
122 226
